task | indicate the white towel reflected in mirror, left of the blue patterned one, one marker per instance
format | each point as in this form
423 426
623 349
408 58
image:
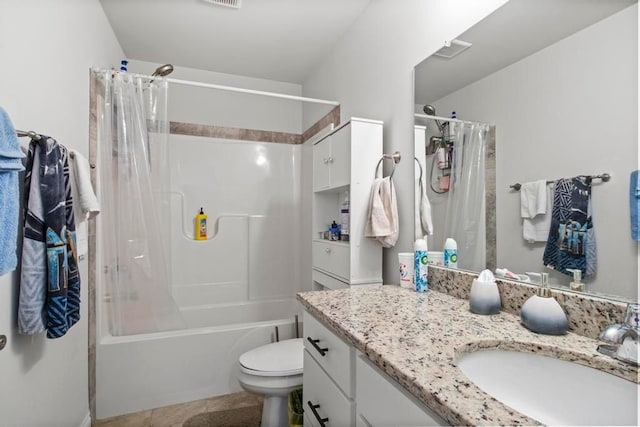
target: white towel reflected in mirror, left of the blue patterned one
535 202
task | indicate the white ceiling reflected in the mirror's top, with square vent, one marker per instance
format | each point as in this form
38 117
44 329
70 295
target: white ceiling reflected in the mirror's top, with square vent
514 31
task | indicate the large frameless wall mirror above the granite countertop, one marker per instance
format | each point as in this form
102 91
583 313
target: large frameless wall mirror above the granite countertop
559 80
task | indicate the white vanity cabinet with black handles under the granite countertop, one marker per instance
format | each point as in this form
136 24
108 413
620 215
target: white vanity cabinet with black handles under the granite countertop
341 387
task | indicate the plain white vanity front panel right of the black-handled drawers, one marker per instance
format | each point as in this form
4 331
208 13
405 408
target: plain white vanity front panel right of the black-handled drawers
381 401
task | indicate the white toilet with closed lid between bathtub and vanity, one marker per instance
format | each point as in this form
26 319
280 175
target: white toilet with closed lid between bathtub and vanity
273 370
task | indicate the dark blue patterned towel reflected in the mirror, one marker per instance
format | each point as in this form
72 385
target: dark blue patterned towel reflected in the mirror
571 243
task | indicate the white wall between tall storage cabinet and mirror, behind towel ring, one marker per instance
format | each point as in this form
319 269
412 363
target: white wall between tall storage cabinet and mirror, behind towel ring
370 72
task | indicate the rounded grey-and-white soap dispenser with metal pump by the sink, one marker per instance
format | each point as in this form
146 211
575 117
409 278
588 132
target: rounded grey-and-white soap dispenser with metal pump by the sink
542 314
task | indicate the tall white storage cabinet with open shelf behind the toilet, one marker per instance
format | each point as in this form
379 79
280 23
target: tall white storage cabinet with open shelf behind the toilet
344 161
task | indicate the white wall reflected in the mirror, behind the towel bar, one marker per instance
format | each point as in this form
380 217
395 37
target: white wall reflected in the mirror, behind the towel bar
567 110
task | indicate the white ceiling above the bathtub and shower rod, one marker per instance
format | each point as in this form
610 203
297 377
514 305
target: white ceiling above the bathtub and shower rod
280 40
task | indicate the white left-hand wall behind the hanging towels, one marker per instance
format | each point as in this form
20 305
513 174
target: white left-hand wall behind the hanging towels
47 49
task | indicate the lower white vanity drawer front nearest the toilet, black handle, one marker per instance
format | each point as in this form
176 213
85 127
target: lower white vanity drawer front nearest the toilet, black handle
331 406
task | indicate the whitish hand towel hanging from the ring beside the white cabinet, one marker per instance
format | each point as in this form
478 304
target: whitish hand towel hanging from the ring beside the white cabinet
382 218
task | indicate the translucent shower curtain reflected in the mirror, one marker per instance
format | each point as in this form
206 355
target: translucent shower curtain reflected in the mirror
465 215
